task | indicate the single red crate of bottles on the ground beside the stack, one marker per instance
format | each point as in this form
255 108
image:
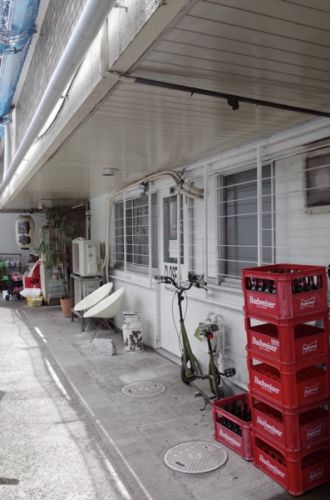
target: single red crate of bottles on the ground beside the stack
239 441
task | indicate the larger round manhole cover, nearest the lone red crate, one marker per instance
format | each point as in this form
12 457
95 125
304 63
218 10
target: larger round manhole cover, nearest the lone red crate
195 457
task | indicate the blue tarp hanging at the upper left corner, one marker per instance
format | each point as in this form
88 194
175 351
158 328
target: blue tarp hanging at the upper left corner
17 25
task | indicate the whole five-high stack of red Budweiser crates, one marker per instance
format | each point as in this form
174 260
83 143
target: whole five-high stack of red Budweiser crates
287 326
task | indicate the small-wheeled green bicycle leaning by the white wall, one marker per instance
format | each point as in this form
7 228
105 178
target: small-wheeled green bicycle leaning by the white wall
190 366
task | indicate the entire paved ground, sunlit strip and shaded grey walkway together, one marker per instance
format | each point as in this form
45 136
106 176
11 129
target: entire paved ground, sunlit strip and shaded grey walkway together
117 442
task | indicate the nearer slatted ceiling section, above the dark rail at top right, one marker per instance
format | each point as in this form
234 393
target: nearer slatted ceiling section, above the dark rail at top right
276 50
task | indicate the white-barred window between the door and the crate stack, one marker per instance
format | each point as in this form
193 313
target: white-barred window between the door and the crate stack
237 221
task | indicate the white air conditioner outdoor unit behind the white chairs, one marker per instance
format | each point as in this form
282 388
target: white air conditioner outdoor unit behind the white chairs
85 257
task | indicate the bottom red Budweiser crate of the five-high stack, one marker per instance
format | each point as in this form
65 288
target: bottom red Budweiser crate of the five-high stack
297 472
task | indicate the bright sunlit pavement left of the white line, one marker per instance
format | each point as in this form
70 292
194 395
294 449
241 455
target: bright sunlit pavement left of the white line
46 448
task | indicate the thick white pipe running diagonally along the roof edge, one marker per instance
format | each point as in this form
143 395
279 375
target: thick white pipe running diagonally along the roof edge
85 31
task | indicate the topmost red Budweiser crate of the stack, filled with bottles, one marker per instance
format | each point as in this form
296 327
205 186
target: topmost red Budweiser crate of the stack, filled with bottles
280 279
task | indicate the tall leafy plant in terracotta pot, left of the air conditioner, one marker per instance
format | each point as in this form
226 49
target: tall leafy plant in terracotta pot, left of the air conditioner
55 252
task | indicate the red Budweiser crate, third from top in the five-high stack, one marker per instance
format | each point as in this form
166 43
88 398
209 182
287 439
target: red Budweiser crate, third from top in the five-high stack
290 386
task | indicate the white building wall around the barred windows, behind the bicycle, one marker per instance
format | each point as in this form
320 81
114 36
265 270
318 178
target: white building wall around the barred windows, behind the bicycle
300 237
